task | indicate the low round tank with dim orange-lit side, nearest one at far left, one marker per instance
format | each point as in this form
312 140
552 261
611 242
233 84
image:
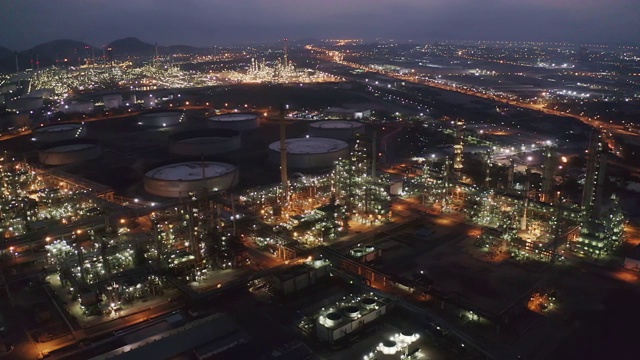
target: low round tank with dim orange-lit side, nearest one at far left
69 152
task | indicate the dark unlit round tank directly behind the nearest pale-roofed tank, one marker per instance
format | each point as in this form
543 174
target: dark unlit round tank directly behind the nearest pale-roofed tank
204 142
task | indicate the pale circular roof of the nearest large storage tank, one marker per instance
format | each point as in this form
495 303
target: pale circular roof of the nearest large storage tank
190 170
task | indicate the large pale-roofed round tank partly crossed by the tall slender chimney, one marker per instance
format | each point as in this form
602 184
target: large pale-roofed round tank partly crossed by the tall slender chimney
310 153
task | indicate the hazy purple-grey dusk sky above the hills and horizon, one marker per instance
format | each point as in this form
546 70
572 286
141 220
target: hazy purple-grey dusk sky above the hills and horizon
25 23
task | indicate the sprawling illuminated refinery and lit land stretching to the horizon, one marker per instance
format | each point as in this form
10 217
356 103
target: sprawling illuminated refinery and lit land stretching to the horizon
332 199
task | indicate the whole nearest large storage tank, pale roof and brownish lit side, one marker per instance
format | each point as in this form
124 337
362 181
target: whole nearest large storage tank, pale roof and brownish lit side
179 179
